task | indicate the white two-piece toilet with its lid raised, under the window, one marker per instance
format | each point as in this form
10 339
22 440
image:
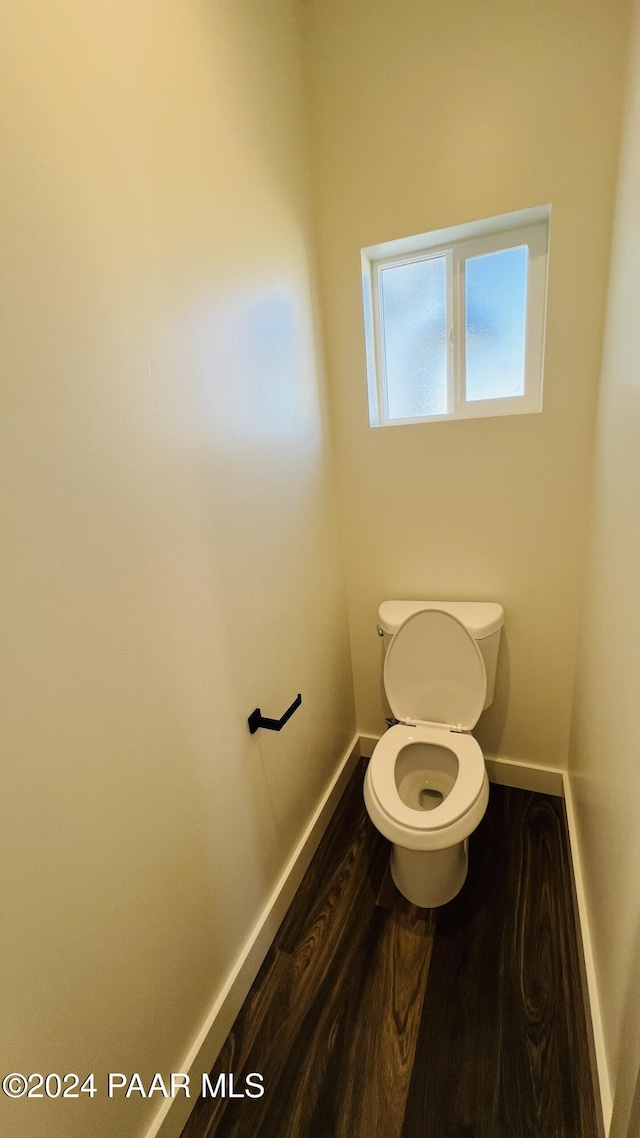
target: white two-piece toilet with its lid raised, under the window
426 787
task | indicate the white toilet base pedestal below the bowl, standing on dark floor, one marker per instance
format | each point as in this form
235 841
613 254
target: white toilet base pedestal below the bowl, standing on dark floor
430 878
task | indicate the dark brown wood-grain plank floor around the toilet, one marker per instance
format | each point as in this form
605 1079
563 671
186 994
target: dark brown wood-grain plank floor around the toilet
374 1019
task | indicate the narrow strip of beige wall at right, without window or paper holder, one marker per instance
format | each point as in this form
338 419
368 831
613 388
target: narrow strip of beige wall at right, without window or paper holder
605 763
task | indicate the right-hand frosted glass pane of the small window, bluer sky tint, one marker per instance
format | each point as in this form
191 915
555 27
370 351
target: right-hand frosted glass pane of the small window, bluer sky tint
496 309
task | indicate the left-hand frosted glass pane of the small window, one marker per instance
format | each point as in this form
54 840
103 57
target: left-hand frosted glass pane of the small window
414 308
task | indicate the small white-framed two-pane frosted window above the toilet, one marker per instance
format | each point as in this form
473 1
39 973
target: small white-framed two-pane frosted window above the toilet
455 321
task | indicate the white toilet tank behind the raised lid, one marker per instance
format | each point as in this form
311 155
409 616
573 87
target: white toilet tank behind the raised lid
483 620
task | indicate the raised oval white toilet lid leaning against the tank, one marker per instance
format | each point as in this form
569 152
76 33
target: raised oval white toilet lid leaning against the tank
434 672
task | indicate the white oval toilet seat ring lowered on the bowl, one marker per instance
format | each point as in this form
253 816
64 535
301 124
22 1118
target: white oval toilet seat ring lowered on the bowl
450 822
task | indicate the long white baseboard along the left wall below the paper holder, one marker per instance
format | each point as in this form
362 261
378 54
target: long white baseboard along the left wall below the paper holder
204 1051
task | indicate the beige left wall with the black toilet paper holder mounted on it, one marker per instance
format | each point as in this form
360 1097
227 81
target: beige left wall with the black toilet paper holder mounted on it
168 522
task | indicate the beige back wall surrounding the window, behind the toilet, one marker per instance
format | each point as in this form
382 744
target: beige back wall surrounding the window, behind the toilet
428 116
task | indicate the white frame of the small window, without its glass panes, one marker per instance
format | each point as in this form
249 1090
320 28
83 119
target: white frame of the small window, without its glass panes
510 232
